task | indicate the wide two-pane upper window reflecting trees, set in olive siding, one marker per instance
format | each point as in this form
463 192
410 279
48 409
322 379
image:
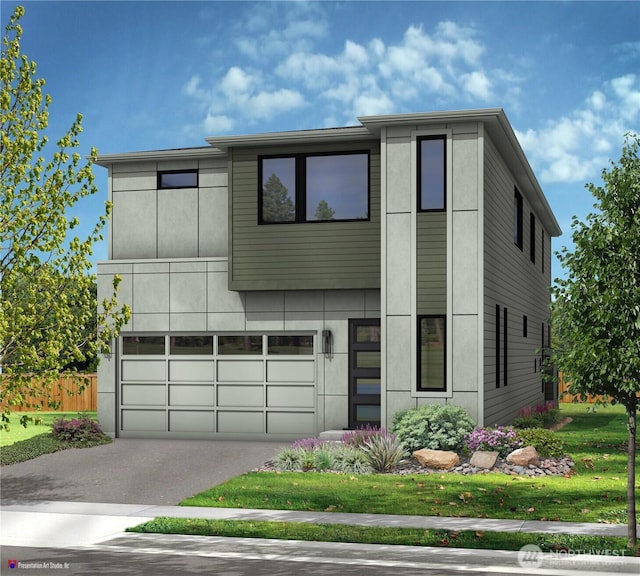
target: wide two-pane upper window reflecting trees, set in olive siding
313 187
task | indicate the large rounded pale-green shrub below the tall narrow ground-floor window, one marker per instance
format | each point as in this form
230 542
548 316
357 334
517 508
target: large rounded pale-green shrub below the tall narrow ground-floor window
434 426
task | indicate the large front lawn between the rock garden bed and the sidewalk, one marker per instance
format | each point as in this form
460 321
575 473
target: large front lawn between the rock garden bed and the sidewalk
595 493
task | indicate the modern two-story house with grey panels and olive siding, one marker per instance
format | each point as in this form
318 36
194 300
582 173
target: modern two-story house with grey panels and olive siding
284 284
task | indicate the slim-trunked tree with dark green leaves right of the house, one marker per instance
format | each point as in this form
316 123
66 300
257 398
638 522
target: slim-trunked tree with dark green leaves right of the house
597 304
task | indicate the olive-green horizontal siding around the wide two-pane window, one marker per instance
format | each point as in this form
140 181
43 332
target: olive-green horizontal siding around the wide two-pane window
297 254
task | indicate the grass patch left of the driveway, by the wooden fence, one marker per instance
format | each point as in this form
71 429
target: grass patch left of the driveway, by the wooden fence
21 444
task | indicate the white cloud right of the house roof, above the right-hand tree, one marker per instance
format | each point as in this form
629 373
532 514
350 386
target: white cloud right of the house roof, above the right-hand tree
576 147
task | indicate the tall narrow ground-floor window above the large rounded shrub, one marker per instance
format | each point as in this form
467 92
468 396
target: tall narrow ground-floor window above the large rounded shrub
432 353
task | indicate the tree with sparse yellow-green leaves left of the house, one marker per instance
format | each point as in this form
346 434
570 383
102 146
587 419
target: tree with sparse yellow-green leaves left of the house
47 296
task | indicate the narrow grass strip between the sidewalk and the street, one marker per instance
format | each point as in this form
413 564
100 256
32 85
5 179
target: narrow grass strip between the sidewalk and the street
377 535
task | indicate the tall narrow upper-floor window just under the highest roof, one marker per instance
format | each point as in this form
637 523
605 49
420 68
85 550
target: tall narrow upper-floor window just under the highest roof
431 173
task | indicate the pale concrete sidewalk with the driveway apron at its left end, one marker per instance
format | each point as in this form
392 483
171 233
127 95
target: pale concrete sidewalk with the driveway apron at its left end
72 524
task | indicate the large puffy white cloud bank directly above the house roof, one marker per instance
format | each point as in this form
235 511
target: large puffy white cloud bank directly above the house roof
288 70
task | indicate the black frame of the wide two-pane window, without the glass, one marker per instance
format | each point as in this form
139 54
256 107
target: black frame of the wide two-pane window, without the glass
300 198
